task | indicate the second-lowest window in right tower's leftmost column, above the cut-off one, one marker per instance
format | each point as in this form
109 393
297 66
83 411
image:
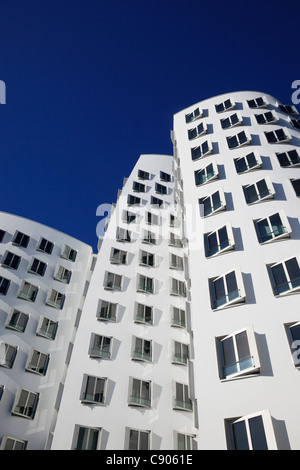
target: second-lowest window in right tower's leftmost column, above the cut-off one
237 354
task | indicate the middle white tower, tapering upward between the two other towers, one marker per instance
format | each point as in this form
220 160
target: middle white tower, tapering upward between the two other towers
129 383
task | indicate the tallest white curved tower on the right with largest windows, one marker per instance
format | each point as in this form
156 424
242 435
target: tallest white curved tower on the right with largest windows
237 160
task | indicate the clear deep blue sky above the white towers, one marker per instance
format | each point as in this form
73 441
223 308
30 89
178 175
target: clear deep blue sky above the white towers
92 84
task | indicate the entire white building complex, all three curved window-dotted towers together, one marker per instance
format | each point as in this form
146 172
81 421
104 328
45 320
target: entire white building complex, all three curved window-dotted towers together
189 331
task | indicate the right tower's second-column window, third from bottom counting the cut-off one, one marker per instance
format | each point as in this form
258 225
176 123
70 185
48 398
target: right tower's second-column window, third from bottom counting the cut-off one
274 227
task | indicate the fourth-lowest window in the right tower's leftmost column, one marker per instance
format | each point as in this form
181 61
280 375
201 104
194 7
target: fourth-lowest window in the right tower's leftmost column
219 241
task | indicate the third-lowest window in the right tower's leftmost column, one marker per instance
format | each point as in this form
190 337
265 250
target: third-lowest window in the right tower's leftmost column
227 290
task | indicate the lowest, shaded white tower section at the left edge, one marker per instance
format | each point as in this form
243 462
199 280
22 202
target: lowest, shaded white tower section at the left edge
44 276
